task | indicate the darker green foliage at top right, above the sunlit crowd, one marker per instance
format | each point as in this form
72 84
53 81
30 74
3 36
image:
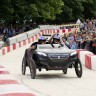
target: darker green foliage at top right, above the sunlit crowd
74 9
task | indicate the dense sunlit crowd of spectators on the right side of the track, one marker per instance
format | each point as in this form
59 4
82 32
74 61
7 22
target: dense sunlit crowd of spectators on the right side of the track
85 39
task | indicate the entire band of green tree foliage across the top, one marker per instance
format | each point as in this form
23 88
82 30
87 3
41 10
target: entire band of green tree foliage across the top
22 11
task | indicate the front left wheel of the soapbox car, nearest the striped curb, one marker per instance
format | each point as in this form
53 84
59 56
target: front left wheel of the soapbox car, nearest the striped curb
32 67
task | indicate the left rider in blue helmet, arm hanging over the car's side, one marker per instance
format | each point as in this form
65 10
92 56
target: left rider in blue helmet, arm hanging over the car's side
28 52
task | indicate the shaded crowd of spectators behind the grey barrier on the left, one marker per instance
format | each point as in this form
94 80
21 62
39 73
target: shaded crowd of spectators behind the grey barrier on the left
13 30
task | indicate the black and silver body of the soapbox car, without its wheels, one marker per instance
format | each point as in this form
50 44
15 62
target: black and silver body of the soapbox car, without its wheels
57 58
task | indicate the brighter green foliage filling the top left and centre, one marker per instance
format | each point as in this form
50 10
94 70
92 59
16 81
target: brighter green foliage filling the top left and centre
12 11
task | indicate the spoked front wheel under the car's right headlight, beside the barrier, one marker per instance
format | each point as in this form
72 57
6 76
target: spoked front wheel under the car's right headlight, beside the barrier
78 68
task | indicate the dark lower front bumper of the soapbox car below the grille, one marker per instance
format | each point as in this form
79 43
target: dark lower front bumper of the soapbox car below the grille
58 63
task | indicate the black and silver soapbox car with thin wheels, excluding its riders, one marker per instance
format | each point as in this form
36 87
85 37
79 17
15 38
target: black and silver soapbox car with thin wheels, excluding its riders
52 57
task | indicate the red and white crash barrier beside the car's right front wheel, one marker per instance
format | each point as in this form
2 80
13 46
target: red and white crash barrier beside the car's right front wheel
87 58
